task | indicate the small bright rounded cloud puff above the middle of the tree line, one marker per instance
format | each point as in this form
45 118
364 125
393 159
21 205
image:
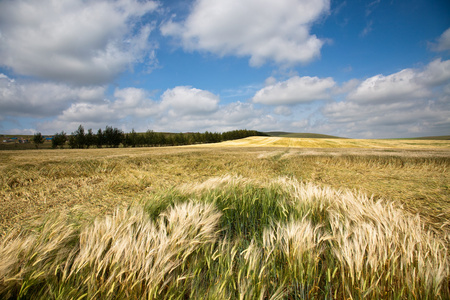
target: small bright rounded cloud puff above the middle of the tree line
185 100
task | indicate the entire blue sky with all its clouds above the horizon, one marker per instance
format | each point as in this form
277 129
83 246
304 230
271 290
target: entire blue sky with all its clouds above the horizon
354 68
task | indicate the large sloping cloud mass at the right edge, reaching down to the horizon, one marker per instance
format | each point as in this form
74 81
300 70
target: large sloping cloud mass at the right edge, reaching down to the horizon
407 103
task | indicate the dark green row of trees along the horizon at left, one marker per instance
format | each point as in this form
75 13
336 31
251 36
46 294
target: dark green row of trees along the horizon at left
114 137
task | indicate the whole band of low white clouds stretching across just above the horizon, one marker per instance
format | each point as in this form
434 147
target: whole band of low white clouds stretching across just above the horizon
411 102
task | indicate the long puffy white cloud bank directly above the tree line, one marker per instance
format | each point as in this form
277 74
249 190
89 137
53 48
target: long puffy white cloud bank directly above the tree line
180 109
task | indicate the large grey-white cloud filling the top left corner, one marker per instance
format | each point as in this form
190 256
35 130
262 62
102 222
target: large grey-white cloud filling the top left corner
81 42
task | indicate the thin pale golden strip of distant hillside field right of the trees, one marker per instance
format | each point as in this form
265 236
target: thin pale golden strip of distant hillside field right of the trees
258 141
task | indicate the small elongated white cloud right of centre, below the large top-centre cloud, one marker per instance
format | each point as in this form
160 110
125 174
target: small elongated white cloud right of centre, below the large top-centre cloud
295 90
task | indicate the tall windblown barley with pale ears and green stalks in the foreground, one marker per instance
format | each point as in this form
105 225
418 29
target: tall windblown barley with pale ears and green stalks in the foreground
231 237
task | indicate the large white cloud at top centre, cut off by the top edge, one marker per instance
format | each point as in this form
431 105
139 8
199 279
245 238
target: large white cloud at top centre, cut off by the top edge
266 30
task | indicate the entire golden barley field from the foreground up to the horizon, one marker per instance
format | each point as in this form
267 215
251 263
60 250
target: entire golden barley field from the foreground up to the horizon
257 218
